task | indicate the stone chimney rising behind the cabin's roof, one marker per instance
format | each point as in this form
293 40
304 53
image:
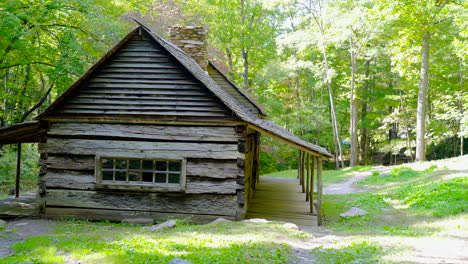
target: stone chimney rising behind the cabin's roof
192 40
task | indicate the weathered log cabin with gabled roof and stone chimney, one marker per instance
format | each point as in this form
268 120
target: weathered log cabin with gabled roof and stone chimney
151 130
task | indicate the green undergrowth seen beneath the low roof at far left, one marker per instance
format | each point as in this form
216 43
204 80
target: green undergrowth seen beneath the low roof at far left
29 169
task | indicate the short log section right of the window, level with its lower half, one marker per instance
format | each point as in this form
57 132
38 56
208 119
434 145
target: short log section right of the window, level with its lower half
197 185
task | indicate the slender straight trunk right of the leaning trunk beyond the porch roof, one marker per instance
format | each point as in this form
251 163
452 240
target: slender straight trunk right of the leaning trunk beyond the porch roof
353 107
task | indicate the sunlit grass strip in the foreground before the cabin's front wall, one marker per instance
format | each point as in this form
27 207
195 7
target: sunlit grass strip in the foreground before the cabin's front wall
80 241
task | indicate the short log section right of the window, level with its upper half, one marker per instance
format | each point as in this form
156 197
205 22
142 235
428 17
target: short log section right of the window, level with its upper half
213 169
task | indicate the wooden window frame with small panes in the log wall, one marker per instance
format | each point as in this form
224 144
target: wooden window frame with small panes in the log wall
141 186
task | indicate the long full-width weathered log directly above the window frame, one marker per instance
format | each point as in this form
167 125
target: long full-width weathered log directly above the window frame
164 150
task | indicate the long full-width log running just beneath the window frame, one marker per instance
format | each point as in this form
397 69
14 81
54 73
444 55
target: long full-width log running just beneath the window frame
152 202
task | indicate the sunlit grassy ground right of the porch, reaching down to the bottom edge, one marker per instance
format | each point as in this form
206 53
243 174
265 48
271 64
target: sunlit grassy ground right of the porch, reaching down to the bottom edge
408 209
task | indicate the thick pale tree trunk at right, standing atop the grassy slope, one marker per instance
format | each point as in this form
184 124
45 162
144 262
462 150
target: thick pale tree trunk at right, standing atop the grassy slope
422 98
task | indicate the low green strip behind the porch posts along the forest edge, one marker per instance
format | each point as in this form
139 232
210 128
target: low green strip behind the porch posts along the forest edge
329 176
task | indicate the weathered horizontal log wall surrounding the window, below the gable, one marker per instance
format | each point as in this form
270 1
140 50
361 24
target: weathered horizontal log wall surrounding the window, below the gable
214 173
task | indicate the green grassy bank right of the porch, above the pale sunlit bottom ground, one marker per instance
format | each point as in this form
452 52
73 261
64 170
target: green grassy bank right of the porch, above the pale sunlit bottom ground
398 201
